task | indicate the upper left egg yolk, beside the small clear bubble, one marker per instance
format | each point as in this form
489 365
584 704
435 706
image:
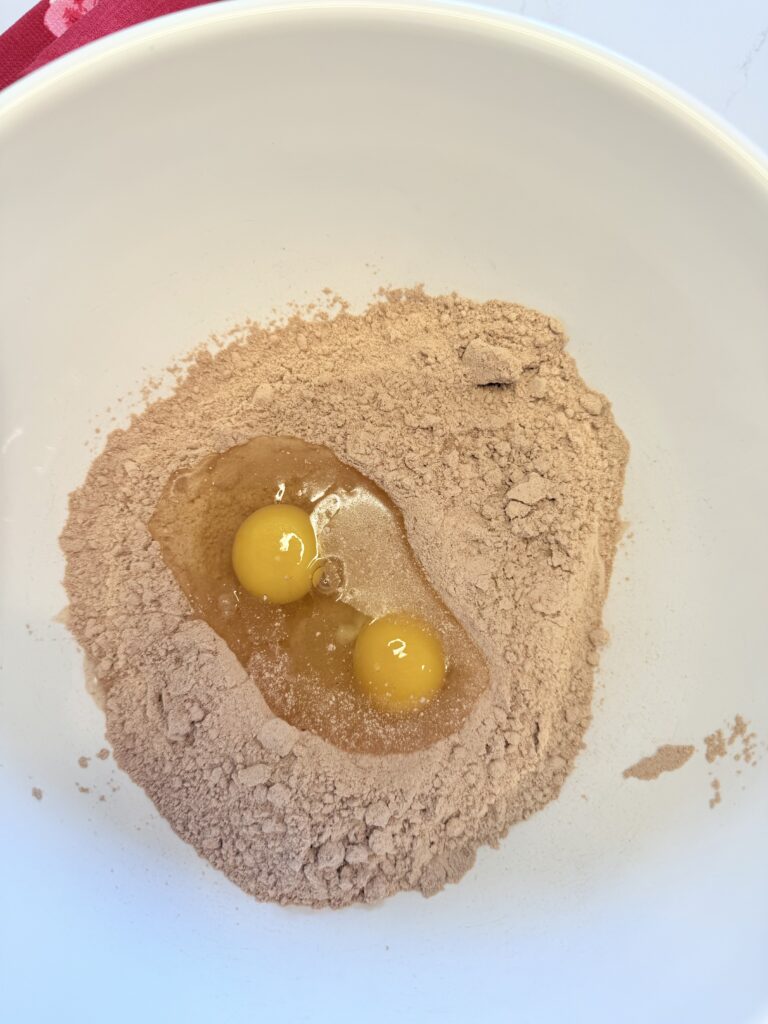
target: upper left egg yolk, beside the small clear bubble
274 552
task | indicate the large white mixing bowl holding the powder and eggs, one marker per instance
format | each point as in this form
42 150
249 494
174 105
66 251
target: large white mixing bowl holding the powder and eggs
179 178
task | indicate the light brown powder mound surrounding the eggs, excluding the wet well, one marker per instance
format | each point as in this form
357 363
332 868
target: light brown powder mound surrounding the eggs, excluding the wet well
510 496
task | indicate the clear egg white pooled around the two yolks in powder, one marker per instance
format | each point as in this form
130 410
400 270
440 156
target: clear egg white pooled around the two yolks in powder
301 655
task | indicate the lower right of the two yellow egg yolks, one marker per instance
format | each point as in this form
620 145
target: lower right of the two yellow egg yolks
399 663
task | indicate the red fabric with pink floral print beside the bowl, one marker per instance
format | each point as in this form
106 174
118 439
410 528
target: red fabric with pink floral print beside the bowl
56 27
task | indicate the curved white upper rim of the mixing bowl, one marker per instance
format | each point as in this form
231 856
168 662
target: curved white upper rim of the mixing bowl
129 44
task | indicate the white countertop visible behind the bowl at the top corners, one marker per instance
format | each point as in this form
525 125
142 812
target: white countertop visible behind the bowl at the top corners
717 51
